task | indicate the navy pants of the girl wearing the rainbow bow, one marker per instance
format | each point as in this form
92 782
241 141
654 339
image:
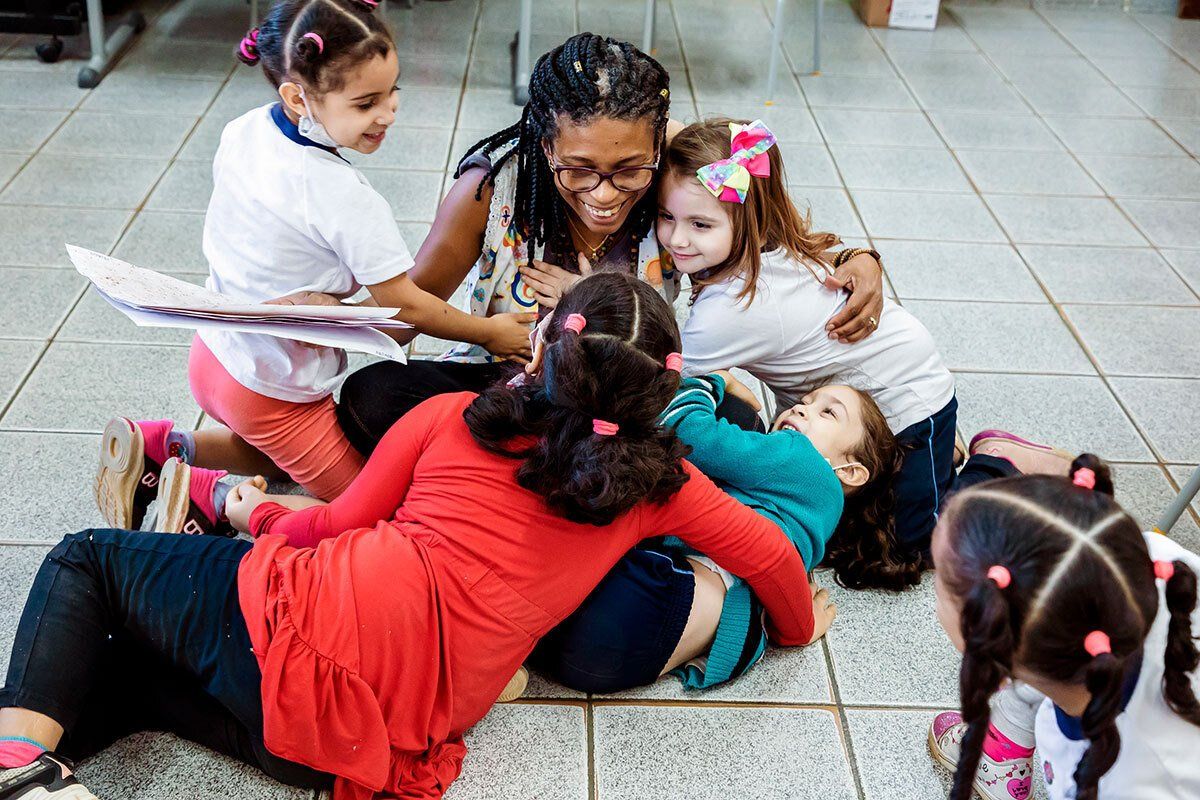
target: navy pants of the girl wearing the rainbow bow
927 478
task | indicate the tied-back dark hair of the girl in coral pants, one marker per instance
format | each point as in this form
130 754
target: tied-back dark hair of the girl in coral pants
350 35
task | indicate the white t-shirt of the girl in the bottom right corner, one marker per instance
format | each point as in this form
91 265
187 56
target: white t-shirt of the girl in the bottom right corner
1160 750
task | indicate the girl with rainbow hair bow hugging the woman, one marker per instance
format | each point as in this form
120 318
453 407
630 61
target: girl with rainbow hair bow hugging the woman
763 300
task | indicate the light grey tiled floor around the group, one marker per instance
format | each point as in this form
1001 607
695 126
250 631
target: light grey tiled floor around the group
1030 177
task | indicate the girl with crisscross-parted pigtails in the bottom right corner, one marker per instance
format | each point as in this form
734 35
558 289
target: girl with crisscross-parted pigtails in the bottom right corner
1077 633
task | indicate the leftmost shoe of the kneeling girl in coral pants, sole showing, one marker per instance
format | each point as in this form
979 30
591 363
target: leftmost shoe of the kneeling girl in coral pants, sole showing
131 458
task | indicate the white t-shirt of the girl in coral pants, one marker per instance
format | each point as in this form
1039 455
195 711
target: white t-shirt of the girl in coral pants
286 218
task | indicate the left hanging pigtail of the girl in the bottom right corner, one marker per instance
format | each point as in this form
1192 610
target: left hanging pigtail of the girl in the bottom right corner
987 661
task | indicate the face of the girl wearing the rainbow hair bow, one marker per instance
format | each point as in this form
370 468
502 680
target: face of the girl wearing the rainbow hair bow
693 226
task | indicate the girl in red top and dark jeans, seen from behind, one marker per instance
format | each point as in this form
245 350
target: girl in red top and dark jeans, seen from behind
355 643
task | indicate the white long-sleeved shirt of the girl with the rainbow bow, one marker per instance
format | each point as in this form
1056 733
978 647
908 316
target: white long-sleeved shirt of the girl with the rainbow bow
782 341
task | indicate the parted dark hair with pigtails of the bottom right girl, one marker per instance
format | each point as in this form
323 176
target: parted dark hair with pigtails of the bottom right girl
1076 568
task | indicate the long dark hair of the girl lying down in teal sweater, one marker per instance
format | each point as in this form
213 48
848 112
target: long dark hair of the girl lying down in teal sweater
865 552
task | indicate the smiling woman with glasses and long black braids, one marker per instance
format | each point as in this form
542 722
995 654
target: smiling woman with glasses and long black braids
573 182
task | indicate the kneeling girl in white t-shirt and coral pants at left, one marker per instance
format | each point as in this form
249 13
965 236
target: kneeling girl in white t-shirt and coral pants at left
291 221
